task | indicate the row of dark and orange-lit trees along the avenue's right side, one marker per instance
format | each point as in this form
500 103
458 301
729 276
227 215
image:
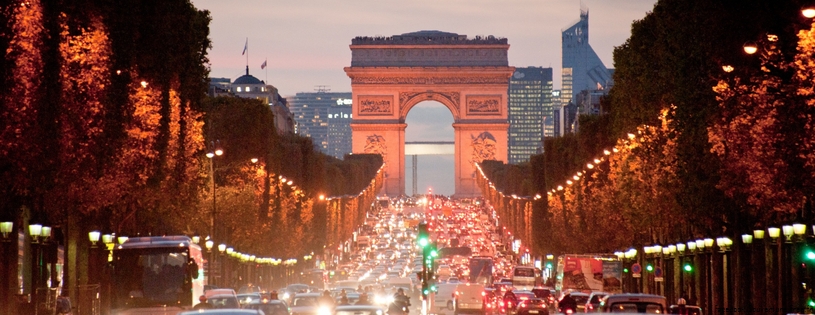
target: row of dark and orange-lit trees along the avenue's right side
711 152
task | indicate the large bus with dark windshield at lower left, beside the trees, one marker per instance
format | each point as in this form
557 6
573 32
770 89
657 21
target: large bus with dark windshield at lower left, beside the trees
159 275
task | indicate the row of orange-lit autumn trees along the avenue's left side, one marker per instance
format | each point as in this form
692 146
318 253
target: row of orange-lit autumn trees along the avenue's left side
105 123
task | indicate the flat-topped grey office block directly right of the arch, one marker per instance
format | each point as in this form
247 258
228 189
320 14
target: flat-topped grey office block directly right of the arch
530 111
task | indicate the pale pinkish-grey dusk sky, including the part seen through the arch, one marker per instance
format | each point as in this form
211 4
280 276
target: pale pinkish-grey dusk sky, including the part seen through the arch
305 42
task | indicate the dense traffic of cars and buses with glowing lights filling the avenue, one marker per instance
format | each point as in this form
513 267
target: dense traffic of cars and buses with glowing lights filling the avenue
474 274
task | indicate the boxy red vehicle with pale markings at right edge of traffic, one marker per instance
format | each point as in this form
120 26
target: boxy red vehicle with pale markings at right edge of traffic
589 273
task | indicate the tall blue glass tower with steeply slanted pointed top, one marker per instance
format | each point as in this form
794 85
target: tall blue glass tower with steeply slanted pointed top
582 68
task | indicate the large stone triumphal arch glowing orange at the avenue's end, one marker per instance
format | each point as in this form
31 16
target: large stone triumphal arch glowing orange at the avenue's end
470 76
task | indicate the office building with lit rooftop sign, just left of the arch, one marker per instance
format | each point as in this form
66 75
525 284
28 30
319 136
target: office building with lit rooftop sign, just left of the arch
325 117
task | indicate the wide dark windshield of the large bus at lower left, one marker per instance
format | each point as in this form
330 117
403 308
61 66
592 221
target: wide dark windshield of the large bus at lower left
153 276
